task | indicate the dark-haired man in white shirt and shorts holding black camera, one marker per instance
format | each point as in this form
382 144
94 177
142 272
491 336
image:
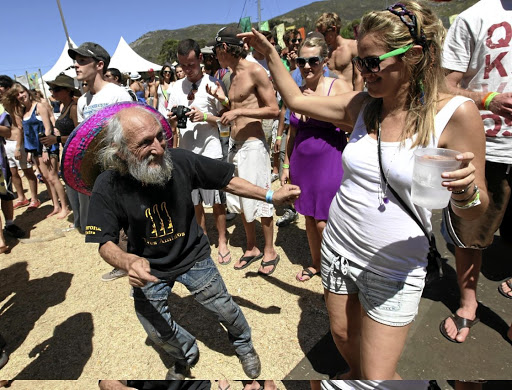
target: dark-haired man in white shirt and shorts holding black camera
201 134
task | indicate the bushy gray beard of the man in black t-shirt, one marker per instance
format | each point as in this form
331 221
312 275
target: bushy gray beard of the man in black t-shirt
151 175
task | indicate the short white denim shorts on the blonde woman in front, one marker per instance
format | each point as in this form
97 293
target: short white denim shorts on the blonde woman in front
387 301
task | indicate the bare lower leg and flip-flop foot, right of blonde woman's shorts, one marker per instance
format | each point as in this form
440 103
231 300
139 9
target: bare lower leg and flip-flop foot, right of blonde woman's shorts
468 263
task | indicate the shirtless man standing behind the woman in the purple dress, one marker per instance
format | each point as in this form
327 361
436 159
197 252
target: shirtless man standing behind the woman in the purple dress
341 50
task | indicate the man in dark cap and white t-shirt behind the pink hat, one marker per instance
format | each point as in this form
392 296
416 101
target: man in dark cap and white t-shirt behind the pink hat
91 63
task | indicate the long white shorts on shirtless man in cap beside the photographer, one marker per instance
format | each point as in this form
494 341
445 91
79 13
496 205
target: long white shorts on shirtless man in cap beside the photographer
252 163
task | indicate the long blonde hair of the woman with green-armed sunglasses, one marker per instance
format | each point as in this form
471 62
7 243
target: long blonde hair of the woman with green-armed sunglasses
424 70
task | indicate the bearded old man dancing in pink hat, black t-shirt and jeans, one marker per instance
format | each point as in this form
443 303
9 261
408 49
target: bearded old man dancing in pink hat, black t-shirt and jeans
144 189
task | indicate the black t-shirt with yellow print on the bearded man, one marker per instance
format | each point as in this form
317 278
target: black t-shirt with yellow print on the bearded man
159 221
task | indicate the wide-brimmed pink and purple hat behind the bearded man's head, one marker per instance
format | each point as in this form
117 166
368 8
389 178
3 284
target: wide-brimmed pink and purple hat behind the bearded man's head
79 166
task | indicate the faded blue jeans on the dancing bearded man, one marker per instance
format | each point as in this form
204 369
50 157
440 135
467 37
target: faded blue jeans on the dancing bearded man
205 283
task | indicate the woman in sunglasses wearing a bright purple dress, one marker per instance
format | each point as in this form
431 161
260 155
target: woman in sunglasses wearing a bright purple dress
313 152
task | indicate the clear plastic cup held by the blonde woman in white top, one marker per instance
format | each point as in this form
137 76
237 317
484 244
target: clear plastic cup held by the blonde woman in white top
429 164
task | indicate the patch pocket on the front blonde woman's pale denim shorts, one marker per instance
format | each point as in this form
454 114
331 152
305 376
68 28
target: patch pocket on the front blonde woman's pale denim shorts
384 293
